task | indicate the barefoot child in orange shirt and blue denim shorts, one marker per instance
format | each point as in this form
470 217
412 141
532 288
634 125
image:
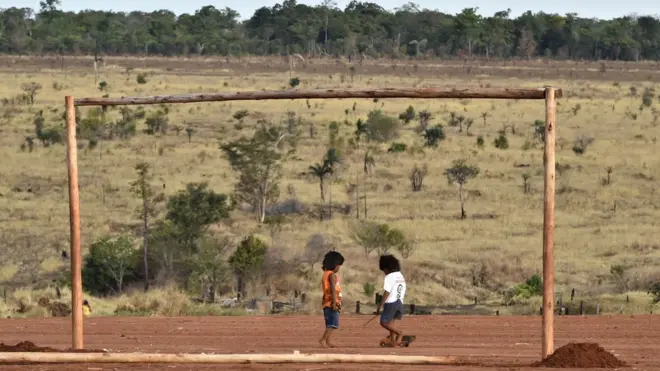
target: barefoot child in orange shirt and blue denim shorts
331 301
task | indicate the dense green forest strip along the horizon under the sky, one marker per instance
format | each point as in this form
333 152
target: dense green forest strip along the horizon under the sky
361 30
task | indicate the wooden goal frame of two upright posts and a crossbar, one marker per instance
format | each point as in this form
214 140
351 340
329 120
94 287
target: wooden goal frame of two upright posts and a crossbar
549 94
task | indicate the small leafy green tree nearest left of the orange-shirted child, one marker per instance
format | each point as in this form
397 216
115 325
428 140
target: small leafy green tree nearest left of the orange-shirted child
247 260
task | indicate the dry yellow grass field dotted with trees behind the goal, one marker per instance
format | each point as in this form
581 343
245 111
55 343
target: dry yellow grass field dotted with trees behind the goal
598 225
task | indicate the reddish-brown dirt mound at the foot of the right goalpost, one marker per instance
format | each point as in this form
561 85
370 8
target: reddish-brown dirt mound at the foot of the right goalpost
581 355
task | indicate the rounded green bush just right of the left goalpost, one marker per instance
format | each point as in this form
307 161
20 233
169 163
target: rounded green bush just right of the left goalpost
109 265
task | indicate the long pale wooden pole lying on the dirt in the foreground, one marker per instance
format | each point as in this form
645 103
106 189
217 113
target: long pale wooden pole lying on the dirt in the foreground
35 357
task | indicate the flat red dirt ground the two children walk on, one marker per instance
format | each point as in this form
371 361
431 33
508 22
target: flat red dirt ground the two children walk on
480 343
